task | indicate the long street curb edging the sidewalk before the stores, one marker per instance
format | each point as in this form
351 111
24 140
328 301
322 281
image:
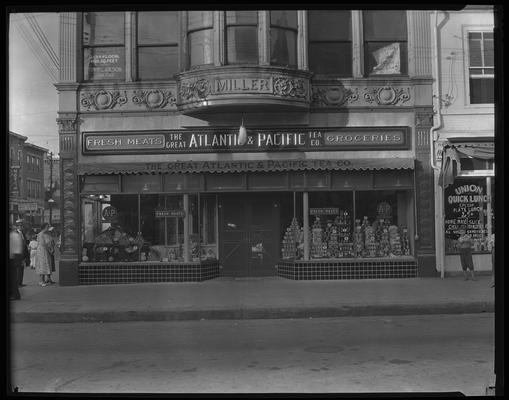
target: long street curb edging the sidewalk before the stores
253 313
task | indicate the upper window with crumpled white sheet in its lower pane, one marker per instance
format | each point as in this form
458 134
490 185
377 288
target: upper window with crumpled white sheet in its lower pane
385 42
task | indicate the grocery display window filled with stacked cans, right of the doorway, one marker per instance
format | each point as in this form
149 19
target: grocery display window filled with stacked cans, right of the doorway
351 224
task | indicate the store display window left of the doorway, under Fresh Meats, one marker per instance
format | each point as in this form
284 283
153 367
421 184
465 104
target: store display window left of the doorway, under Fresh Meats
148 227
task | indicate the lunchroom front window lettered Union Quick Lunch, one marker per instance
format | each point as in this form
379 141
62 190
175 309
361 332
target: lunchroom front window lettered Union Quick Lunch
468 205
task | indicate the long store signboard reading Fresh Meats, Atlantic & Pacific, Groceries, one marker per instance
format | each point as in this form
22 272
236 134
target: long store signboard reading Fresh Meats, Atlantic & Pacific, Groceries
258 140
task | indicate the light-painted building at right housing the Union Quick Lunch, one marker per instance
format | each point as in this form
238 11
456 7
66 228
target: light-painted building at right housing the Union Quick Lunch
464 132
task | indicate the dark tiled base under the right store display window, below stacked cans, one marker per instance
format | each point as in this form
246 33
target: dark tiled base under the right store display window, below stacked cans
347 269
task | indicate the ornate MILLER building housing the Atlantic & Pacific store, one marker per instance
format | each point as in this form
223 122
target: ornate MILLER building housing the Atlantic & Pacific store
290 143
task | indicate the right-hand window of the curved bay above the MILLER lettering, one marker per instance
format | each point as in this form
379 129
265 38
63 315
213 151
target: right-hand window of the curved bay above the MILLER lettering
283 38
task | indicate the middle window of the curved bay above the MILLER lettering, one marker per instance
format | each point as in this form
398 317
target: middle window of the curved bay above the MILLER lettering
241 37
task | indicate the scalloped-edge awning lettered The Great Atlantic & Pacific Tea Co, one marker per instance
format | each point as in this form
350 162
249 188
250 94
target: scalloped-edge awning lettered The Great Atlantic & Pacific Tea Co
264 165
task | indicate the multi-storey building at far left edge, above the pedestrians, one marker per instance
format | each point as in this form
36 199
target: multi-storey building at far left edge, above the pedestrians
26 177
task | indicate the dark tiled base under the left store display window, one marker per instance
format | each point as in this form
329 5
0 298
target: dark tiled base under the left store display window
118 272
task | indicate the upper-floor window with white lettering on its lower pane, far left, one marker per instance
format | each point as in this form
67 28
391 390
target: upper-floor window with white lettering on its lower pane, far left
103 46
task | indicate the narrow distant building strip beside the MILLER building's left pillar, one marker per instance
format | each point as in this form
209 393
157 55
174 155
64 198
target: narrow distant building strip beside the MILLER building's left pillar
52 189
